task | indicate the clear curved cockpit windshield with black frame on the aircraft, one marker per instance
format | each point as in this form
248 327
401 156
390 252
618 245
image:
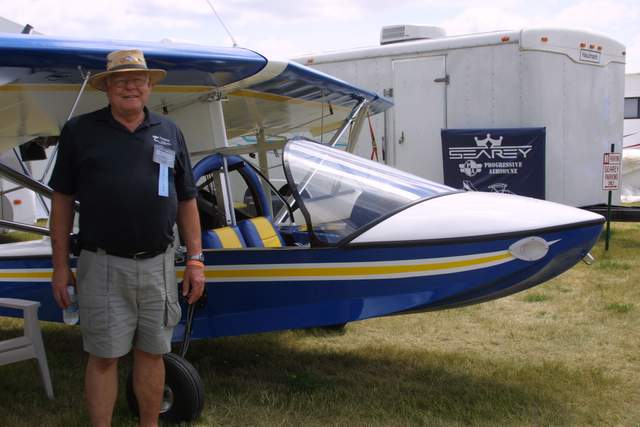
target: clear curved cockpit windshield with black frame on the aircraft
340 193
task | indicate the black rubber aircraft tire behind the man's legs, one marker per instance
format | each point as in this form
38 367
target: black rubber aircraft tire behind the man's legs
184 384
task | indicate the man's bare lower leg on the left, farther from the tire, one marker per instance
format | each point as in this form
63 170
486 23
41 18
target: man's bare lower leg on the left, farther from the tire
101 389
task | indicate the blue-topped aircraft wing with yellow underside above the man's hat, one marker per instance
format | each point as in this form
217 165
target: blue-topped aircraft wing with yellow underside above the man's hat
41 76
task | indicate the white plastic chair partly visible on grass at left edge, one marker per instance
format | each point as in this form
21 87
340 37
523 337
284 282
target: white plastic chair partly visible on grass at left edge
30 345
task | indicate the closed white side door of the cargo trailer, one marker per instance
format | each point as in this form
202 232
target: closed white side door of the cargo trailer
419 114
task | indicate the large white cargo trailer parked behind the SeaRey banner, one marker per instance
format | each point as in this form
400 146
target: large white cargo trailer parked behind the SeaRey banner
570 82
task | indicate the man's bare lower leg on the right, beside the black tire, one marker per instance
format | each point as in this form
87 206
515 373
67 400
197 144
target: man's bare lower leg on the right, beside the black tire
148 384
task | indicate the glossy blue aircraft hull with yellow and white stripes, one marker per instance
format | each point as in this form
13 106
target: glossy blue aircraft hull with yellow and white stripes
261 289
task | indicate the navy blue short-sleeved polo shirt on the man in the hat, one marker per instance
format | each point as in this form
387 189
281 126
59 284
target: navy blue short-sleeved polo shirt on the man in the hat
111 172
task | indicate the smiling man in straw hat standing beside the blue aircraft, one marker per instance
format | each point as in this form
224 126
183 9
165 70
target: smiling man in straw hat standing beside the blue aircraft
130 171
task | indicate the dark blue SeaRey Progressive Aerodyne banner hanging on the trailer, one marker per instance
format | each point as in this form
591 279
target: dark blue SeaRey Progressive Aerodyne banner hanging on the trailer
500 160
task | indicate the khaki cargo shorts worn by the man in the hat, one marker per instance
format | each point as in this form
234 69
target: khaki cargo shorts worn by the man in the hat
126 302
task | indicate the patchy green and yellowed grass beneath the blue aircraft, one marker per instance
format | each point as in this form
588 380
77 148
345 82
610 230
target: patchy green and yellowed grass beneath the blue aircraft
564 353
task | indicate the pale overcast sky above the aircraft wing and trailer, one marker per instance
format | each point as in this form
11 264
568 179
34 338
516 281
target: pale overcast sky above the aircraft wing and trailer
287 28
